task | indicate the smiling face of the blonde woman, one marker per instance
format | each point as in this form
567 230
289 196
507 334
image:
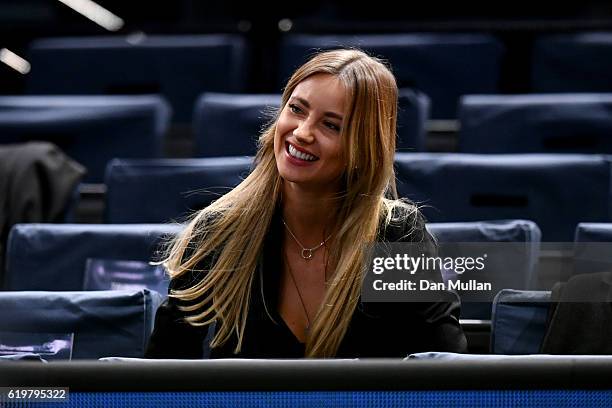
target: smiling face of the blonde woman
307 143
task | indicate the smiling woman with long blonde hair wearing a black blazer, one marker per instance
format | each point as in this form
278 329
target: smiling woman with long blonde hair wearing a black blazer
274 268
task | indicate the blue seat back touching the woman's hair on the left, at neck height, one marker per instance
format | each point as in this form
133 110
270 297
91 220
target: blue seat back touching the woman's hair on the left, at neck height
171 188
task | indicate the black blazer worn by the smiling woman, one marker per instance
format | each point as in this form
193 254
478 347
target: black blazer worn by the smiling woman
376 329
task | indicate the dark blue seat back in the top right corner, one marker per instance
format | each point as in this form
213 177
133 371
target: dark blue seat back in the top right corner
580 62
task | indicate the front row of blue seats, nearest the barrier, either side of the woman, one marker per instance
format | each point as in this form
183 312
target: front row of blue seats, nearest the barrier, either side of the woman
96 324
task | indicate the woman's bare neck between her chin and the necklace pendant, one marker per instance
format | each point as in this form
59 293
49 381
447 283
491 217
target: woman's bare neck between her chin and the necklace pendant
309 214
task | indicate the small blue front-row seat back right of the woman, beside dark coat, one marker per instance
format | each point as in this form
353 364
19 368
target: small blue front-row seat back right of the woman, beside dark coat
519 321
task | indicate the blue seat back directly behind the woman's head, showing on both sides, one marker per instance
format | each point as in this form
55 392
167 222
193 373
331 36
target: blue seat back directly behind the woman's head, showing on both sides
229 124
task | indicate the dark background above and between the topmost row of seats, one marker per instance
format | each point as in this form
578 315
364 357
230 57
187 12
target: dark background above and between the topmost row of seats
516 23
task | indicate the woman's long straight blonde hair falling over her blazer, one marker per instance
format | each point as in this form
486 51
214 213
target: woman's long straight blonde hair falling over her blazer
231 231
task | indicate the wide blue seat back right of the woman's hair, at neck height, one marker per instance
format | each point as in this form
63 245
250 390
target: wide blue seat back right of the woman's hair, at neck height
555 191
